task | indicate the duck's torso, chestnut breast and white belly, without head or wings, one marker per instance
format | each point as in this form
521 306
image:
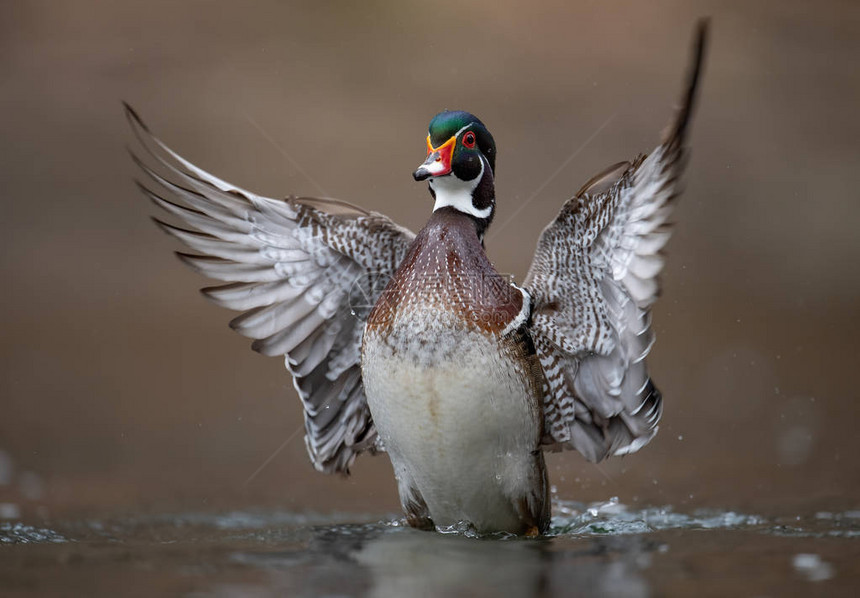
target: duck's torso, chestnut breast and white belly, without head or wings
454 387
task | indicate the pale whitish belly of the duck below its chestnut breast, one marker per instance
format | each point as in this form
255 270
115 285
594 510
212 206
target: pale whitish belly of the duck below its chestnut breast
459 426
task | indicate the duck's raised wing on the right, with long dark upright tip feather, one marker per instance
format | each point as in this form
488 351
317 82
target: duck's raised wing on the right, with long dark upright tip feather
593 280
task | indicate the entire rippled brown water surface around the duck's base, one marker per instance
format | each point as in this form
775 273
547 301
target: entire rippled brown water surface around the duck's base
596 549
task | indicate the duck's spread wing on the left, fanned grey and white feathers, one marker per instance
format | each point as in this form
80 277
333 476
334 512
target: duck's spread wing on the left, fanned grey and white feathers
303 271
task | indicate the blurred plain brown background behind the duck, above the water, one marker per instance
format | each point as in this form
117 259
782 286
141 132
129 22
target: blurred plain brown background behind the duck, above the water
122 388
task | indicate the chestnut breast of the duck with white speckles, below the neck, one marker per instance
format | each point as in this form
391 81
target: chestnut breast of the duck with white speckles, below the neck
446 280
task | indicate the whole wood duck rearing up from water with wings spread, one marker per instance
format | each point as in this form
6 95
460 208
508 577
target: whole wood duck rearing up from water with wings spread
463 377
